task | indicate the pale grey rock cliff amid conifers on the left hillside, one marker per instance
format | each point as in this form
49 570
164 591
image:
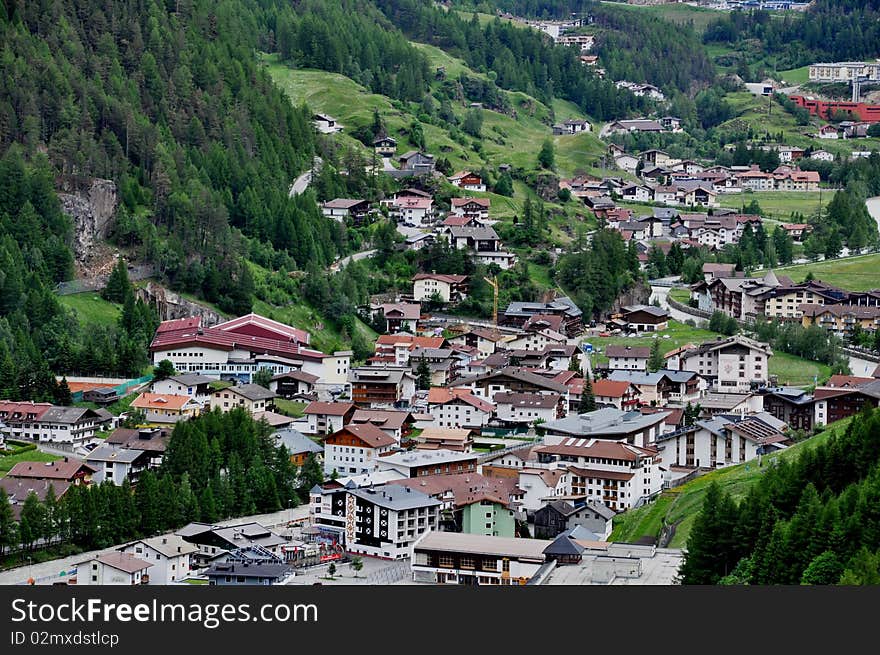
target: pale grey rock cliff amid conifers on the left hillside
91 203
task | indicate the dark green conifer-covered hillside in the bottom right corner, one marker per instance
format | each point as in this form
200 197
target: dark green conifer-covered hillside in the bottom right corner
812 521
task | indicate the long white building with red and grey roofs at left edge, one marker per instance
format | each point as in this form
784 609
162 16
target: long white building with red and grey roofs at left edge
48 423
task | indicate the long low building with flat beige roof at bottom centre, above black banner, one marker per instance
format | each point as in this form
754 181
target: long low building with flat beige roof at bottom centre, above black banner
468 559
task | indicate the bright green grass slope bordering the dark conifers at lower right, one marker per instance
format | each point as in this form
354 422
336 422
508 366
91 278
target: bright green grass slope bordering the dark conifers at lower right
682 504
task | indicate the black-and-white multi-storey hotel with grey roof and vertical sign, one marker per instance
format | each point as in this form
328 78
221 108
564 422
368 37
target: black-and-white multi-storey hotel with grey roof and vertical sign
385 521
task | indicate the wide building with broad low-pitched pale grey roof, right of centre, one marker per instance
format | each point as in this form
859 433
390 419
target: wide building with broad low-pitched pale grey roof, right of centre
607 423
